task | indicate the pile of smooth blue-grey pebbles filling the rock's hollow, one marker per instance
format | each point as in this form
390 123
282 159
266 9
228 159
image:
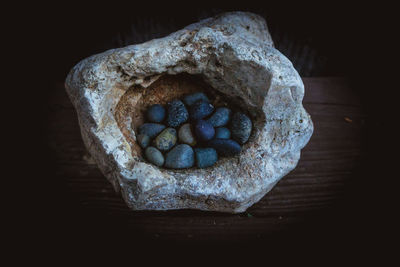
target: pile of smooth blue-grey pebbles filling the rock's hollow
191 132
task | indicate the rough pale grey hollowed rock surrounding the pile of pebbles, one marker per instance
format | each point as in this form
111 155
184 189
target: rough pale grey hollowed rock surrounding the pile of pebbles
235 55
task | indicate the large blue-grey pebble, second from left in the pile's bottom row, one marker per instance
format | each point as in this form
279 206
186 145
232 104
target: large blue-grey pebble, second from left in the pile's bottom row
180 157
